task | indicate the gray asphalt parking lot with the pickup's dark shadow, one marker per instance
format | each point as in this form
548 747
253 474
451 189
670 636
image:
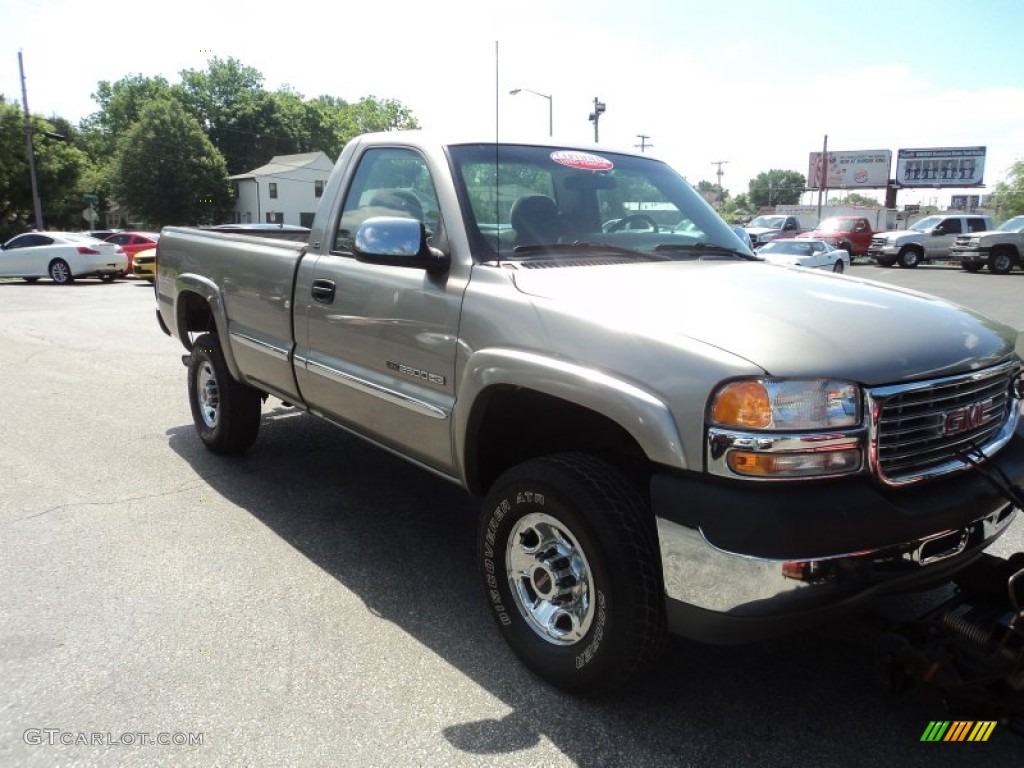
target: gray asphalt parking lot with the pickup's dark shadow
316 603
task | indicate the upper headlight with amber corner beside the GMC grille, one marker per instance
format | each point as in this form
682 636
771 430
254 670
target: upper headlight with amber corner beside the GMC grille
787 405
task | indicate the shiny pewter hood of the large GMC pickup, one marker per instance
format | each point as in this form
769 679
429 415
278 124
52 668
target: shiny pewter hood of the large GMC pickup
787 321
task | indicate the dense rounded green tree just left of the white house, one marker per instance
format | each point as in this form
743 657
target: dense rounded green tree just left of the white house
168 173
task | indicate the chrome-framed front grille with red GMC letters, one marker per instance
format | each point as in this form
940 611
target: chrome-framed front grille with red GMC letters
922 430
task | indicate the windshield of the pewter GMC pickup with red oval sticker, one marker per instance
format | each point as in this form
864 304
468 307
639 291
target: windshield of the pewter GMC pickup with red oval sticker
521 198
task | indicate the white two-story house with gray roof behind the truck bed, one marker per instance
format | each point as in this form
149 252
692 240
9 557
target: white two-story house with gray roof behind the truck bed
286 191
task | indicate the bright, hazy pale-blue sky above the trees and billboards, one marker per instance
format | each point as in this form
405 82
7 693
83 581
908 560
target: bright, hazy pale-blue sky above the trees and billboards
752 86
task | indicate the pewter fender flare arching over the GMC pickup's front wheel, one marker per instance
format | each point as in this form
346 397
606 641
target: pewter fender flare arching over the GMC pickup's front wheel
642 414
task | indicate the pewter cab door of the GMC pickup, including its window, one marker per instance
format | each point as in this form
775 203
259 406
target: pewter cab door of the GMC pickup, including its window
377 345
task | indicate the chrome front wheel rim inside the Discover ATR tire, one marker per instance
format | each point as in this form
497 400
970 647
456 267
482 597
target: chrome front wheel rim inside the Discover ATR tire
550 579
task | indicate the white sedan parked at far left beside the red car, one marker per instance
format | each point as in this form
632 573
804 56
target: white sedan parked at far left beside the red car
62 258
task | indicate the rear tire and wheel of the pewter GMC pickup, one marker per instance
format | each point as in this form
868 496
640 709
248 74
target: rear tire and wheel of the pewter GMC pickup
227 413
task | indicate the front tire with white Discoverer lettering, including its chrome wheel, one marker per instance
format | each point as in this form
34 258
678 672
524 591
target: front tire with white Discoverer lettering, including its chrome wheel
568 533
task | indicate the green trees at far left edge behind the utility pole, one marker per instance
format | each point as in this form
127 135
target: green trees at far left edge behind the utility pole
59 170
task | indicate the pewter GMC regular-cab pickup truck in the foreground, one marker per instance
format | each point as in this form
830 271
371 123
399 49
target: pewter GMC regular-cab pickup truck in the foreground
668 435
